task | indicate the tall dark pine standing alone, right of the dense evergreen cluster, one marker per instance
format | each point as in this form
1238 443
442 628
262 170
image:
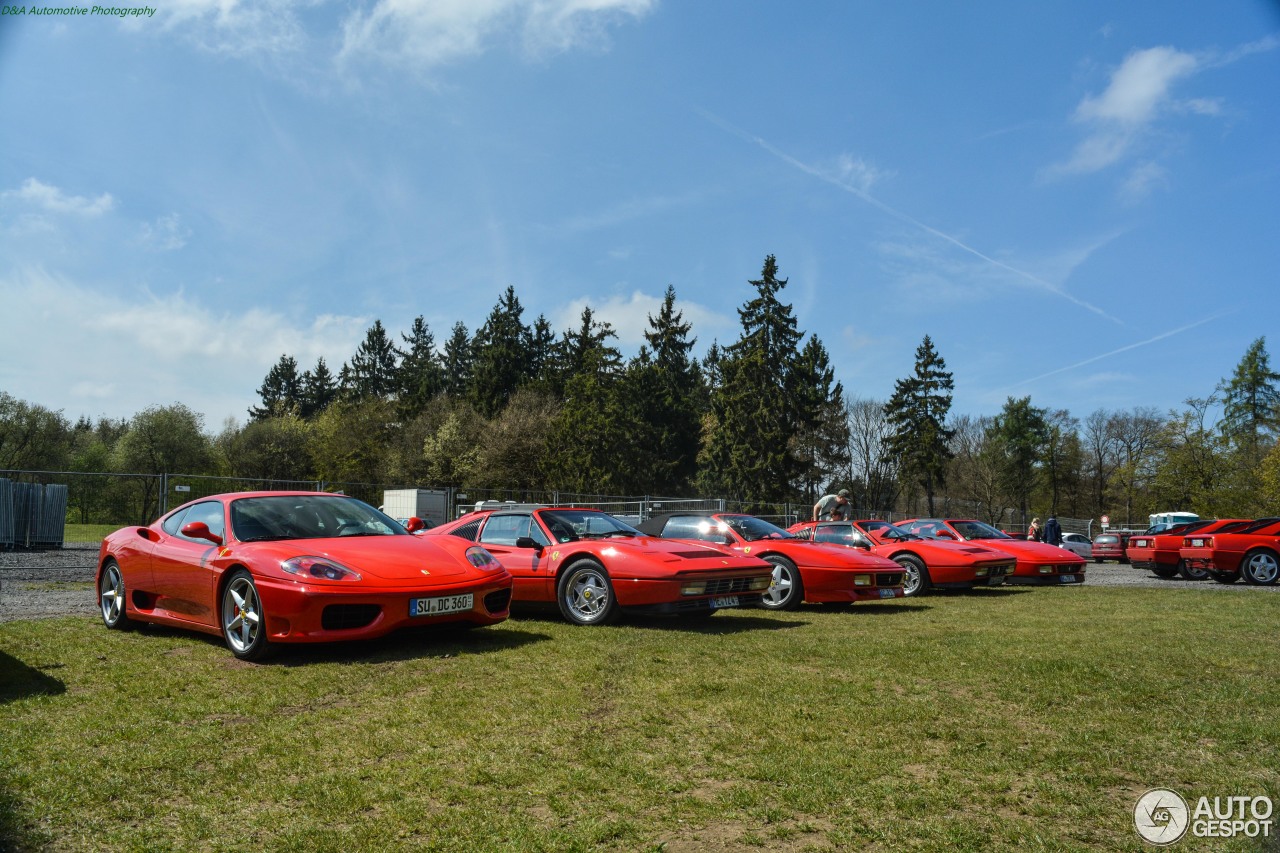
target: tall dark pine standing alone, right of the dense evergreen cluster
917 414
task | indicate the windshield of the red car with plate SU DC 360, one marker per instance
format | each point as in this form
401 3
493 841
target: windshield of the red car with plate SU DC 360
308 517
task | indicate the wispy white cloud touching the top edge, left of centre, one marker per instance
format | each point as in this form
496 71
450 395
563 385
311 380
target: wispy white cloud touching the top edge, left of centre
427 34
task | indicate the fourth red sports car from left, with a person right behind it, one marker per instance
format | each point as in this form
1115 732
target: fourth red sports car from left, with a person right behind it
927 563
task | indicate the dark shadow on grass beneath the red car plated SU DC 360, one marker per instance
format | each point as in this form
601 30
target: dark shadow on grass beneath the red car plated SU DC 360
406 645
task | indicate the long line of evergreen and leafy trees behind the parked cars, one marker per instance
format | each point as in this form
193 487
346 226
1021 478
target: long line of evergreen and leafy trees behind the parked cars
761 421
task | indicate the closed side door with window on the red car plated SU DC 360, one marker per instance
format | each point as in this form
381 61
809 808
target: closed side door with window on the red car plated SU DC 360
181 576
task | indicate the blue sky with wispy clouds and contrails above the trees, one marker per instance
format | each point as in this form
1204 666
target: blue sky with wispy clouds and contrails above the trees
1077 202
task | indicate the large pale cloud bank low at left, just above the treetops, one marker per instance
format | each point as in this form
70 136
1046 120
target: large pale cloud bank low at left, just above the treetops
116 357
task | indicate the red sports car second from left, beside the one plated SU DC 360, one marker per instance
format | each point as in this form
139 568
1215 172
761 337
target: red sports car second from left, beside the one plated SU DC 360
593 565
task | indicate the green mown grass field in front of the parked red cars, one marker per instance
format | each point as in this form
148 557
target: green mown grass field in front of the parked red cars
999 719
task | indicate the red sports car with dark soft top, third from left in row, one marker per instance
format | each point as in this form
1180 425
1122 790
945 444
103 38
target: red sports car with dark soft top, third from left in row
803 571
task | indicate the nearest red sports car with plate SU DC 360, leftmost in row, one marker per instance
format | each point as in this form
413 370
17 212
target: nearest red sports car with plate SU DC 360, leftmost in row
267 568
